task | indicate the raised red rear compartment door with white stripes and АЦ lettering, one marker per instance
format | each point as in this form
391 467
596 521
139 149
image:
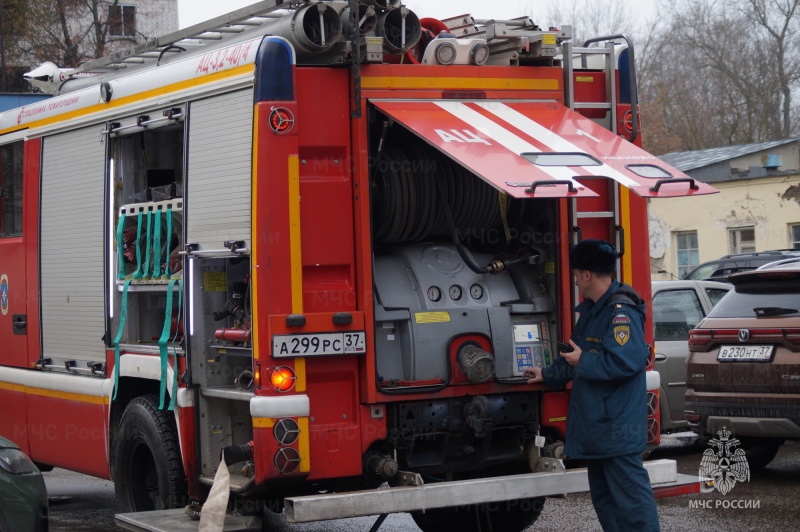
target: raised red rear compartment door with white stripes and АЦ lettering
537 149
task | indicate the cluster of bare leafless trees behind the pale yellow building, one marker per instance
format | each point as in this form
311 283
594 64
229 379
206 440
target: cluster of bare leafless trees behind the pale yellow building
711 72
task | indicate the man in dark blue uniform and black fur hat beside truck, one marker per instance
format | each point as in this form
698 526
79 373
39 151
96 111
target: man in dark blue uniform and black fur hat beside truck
607 418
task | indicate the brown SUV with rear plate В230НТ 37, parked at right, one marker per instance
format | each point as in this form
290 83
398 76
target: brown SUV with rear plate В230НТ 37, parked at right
743 370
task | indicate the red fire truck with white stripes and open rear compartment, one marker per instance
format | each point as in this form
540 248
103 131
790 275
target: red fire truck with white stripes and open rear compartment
323 240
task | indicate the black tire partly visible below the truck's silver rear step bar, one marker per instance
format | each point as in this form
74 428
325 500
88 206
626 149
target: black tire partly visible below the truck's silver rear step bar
507 516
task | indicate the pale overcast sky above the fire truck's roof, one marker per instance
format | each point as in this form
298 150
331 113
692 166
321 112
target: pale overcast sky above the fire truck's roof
191 12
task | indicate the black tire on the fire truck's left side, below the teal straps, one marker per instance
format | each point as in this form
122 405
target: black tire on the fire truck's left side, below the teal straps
148 471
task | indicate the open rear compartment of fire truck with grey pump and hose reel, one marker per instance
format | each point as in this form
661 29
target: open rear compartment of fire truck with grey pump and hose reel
438 229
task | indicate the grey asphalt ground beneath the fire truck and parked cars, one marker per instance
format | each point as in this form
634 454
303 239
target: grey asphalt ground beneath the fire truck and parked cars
768 501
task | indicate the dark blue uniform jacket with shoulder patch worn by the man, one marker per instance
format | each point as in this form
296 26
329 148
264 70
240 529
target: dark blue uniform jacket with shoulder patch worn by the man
608 404
